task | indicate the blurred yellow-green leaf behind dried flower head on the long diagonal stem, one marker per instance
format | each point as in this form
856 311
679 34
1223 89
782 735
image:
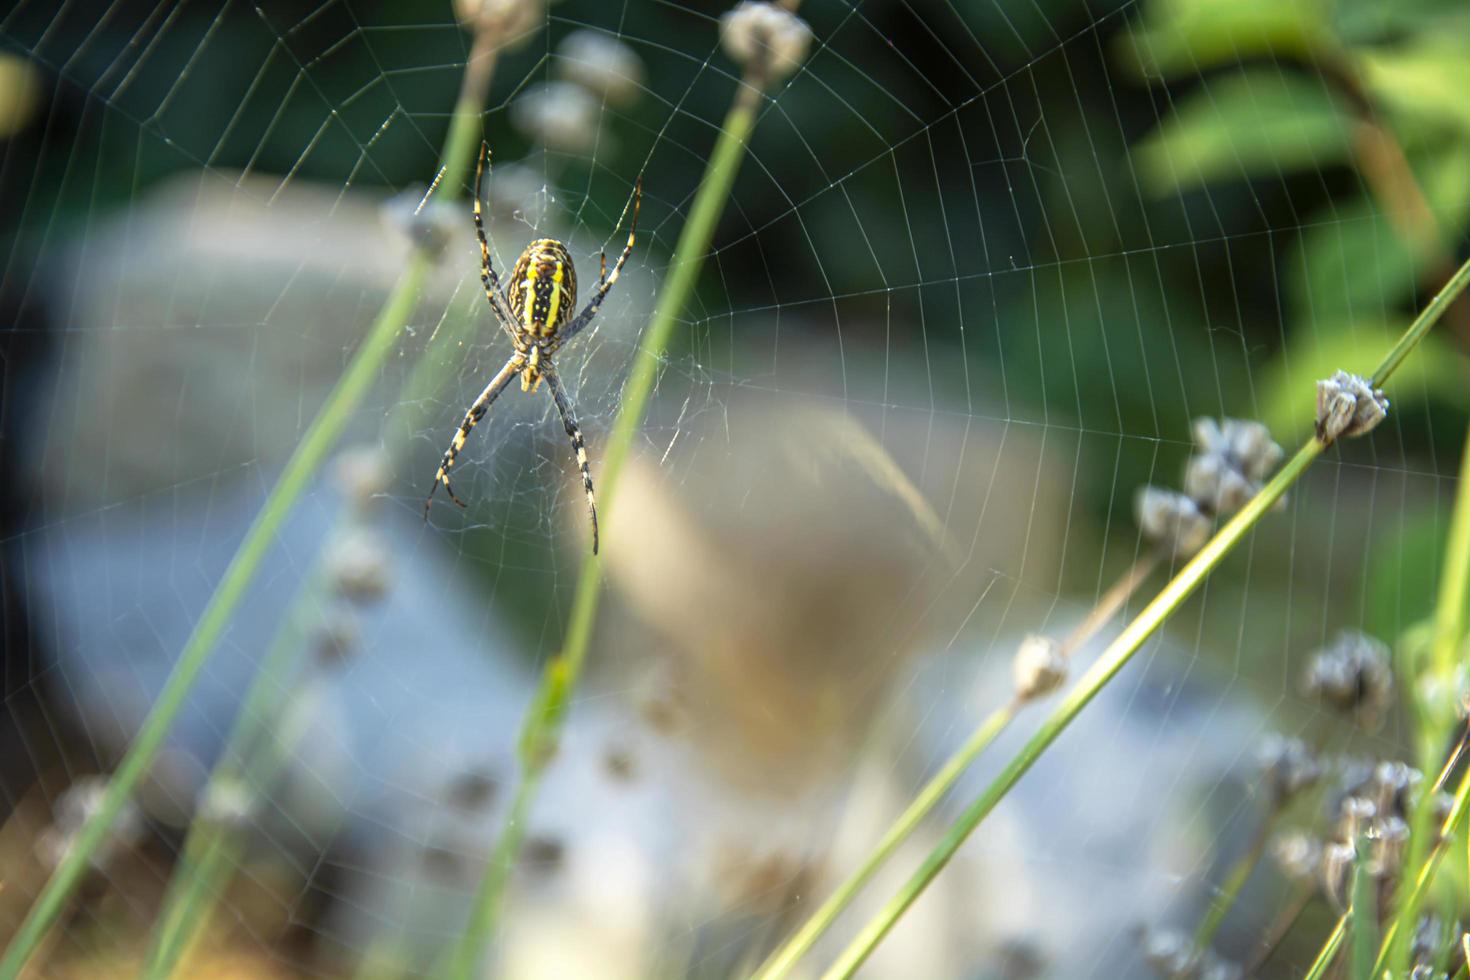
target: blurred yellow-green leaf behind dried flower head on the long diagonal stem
1288 393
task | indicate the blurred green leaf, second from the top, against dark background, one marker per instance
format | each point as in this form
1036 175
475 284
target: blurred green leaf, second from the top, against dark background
1259 123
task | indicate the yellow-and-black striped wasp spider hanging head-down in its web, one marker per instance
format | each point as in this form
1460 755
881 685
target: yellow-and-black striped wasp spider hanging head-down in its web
536 311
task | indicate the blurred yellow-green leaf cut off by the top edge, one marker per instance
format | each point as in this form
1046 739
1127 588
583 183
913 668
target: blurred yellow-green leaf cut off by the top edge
1184 37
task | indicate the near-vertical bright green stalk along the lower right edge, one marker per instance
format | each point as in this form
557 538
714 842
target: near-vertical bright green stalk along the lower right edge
1450 630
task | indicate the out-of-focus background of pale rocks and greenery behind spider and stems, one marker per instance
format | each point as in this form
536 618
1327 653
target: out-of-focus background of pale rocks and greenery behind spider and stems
983 268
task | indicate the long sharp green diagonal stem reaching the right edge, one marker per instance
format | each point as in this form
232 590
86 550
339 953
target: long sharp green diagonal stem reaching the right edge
1124 649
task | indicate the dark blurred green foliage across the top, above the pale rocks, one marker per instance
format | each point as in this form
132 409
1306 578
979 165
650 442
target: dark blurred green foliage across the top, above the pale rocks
1102 218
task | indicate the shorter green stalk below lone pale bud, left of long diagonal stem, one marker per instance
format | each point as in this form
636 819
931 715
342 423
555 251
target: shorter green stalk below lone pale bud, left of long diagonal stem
783 960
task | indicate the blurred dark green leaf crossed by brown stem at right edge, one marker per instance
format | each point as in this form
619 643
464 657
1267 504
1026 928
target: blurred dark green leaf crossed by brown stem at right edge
1353 262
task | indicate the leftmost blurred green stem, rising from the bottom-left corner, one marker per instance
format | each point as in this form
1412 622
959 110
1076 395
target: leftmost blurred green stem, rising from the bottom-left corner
308 458
